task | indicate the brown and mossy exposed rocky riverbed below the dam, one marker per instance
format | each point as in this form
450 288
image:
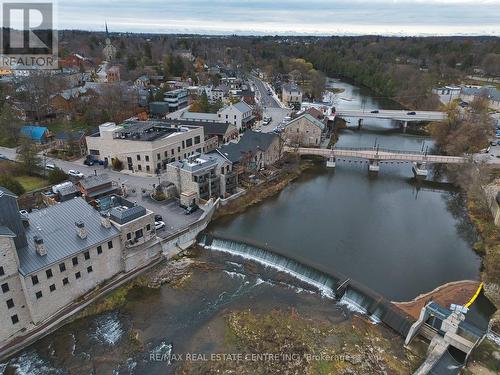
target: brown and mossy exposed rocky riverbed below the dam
284 342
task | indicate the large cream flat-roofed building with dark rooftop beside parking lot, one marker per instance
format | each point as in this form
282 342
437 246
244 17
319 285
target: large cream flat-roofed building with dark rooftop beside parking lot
145 146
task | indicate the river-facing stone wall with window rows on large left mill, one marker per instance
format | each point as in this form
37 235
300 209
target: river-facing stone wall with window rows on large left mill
104 266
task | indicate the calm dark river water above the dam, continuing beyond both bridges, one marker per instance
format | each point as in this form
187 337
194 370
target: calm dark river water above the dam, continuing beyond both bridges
389 232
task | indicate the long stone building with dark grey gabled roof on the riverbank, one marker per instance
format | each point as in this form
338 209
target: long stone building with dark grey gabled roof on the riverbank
254 150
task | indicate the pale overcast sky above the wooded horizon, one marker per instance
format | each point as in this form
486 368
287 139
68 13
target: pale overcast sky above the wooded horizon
291 17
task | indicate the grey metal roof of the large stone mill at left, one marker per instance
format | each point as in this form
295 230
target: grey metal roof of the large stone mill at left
56 226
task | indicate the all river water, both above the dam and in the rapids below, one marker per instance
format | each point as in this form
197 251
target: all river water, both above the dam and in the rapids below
397 237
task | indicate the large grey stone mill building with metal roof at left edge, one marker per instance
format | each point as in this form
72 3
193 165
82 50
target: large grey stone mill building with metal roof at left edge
52 257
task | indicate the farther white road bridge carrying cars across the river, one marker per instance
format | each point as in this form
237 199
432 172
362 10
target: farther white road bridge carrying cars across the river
397 115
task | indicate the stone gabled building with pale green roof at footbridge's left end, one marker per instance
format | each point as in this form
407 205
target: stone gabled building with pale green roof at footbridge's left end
304 131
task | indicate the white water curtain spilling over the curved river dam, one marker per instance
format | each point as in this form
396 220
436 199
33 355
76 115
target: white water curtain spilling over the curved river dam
326 284
